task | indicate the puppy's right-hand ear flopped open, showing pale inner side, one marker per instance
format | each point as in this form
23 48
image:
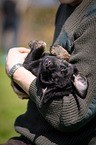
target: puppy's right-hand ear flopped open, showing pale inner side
81 84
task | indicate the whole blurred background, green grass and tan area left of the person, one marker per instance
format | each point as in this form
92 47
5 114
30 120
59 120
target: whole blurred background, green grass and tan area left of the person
20 22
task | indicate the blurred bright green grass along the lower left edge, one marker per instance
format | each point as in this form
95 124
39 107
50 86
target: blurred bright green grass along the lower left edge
10 107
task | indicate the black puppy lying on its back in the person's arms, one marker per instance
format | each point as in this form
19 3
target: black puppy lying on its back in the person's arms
56 76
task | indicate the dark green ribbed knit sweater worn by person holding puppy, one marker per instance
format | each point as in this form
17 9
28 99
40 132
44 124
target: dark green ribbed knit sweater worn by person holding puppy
68 120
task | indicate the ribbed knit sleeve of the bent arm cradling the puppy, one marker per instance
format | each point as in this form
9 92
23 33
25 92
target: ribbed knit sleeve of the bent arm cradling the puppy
69 113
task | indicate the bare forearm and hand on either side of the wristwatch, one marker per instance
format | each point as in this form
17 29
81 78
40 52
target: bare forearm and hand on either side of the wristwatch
21 76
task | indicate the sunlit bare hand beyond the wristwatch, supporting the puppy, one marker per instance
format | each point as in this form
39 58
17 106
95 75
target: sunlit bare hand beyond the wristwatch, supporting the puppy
16 55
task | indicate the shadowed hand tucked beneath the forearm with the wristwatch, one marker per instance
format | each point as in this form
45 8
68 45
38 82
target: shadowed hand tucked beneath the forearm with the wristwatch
20 94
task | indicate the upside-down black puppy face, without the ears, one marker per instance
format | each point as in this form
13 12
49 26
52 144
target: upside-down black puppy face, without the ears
55 71
